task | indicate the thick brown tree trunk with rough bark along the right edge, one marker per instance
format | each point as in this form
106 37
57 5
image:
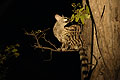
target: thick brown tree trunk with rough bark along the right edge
106 14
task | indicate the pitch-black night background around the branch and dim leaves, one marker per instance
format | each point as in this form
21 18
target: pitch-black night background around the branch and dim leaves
19 15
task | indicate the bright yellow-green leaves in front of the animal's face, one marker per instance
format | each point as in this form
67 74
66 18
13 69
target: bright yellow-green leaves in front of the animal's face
80 13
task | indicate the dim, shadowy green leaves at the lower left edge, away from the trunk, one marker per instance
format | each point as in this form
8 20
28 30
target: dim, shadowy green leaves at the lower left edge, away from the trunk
5 55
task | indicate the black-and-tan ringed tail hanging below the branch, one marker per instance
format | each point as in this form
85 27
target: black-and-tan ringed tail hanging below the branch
84 64
